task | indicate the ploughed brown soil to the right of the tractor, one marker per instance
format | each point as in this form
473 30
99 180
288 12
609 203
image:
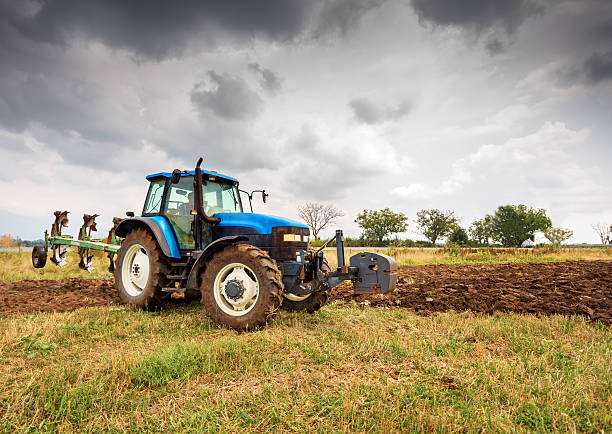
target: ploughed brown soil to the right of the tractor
573 287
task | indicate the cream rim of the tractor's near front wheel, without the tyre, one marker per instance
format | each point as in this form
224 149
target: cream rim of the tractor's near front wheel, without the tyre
236 289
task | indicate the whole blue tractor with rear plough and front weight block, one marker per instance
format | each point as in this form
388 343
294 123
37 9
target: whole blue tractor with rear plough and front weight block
194 239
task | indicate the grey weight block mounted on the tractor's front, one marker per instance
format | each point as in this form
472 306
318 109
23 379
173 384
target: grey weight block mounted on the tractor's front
377 273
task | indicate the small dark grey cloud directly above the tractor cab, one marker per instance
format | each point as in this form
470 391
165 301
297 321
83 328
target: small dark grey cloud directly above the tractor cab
226 96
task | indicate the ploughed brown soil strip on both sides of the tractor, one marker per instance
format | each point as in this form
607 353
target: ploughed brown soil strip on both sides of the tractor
576 287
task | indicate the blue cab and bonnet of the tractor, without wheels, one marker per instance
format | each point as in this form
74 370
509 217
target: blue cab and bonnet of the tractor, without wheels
192 221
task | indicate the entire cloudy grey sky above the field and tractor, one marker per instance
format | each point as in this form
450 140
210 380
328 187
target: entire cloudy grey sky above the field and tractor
364 104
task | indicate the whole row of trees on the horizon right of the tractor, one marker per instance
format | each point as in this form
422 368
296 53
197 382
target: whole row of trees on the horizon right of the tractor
508 226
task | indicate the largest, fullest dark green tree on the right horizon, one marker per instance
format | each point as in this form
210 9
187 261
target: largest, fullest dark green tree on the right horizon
512 225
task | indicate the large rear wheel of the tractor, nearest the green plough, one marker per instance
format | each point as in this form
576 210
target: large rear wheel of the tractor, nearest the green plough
140 270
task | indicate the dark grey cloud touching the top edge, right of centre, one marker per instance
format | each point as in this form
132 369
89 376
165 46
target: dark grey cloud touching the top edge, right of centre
477 15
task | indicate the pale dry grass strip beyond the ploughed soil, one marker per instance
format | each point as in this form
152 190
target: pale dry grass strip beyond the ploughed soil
18 266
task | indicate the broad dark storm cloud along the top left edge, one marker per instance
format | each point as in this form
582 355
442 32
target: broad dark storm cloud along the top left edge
158 29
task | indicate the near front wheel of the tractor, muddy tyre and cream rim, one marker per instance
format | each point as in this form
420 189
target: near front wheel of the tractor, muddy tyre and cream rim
241 287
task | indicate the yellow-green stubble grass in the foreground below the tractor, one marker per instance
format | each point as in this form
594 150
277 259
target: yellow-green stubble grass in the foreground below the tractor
342 369
